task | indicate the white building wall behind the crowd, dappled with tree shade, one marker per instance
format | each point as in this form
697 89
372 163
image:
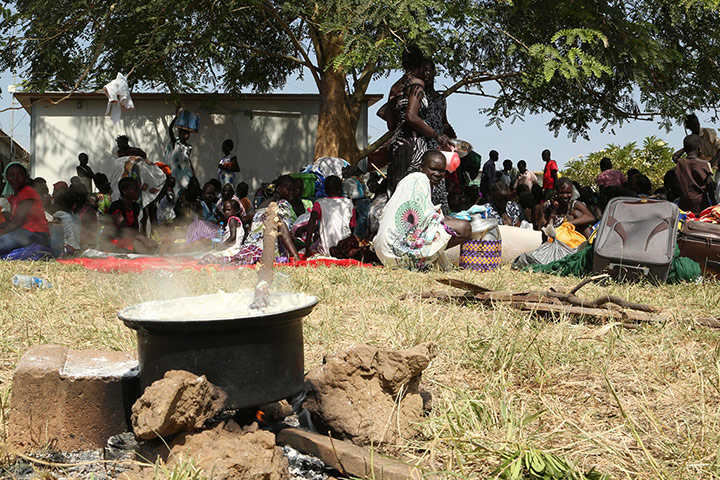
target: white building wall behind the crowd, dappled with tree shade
271 136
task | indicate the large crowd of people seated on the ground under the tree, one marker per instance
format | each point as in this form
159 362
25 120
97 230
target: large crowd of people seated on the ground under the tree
331 209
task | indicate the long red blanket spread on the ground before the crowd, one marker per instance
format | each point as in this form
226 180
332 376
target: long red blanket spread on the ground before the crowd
144 264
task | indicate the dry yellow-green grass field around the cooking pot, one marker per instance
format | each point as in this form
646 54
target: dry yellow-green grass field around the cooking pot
630 403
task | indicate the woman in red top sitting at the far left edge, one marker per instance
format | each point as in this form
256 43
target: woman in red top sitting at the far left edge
27 224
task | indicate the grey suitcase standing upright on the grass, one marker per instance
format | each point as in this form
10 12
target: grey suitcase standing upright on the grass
636 238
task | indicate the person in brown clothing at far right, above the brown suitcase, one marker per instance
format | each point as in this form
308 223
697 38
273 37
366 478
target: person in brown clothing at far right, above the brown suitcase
694 177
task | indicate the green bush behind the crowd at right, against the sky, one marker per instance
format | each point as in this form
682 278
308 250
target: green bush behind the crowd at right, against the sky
653 160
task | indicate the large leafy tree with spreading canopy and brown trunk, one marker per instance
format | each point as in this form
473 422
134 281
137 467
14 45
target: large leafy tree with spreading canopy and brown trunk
584 61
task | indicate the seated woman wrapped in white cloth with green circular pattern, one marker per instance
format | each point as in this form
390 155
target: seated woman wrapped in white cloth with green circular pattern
412 233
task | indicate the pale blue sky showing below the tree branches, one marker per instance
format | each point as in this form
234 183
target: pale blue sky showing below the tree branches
519 141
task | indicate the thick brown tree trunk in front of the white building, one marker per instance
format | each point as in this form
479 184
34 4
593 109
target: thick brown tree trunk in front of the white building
336 128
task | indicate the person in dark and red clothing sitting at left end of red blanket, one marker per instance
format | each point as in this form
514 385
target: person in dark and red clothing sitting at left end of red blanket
123 235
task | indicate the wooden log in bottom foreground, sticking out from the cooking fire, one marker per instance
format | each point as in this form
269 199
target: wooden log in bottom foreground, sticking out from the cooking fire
347 457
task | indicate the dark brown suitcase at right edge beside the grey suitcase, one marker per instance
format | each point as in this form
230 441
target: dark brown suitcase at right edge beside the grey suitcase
700 241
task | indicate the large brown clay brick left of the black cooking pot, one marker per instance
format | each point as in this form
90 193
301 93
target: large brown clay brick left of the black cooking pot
70 399
